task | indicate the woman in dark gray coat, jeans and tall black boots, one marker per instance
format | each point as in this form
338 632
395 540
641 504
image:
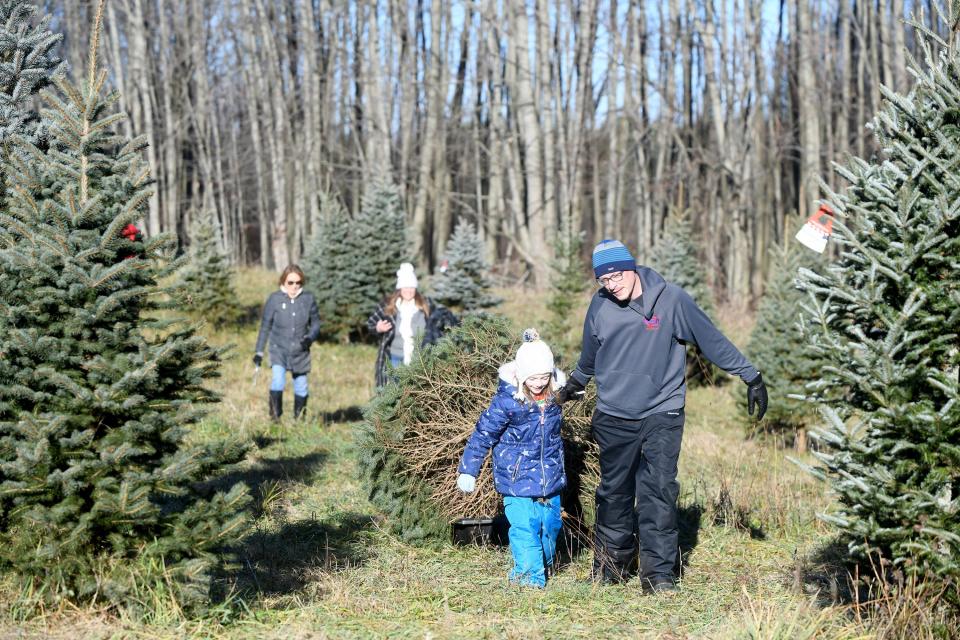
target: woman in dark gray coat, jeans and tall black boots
291 323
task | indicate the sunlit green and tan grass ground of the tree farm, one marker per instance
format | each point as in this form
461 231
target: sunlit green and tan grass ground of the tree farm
317 562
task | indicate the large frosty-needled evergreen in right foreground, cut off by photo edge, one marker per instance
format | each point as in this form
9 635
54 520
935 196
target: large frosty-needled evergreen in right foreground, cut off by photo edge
885 318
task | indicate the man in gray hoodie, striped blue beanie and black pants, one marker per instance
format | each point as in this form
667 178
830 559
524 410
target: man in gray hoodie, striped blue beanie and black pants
634 338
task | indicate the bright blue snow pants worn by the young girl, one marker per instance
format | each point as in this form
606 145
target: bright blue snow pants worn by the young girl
534 526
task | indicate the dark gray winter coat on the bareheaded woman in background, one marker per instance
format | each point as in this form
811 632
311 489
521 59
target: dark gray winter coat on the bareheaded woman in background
291 326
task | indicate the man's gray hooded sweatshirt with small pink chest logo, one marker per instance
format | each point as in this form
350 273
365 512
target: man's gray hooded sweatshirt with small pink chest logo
636 351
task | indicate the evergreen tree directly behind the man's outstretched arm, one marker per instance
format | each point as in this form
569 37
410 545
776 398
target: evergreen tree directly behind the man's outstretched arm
677 258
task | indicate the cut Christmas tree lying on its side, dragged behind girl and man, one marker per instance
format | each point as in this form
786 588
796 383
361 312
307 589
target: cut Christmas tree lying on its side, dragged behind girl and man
416 428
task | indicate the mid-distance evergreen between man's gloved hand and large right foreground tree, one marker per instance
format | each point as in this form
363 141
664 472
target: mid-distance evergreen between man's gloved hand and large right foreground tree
778 342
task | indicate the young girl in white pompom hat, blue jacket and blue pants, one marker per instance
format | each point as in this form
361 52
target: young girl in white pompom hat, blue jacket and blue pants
522 426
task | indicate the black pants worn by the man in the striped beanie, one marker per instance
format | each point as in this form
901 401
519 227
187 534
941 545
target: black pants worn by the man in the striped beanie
637 496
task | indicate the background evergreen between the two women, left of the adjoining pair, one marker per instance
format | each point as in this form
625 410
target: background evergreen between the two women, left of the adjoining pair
327 259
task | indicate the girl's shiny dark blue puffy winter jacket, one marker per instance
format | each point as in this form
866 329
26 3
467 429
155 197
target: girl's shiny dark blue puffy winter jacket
527 449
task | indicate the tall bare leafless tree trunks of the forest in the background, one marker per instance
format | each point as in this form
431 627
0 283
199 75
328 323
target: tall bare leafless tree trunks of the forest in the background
531 118
